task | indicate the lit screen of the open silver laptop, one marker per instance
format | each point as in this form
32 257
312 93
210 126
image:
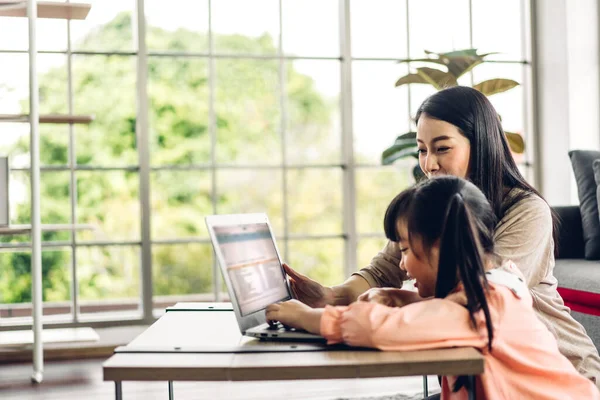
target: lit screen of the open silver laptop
252 264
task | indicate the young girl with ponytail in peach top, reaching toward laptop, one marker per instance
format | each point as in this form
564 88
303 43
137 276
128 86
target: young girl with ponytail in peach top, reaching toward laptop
445 231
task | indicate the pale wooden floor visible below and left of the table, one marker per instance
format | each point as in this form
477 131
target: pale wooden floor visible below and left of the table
82 380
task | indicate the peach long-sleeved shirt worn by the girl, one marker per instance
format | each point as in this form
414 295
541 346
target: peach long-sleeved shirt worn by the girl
524 363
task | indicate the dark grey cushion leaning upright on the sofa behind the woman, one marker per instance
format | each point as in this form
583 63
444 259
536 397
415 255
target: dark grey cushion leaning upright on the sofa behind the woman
582 161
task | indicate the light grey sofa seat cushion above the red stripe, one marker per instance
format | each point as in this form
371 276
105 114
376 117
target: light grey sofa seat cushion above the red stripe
578 274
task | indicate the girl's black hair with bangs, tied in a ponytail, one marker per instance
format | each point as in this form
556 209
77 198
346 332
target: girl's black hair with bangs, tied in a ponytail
455 212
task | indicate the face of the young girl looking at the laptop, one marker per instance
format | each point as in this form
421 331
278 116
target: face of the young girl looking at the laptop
420 266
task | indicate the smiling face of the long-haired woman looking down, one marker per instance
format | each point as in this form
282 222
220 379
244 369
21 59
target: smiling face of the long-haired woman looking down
443 150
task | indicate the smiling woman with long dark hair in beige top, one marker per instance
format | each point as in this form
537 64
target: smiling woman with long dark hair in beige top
459 133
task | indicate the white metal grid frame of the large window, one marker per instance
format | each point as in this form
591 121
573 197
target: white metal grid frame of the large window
146 312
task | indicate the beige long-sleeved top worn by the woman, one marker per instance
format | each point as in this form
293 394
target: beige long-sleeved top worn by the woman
524 235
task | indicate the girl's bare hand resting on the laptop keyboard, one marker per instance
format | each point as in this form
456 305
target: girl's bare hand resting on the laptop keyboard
296 315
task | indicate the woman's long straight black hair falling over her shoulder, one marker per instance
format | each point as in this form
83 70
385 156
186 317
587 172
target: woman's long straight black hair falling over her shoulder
492 167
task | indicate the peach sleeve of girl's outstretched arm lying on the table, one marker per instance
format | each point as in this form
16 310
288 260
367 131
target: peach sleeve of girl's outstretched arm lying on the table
429 324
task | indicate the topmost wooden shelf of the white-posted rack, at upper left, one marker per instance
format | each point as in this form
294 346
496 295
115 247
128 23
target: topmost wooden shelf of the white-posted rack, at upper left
46 9
